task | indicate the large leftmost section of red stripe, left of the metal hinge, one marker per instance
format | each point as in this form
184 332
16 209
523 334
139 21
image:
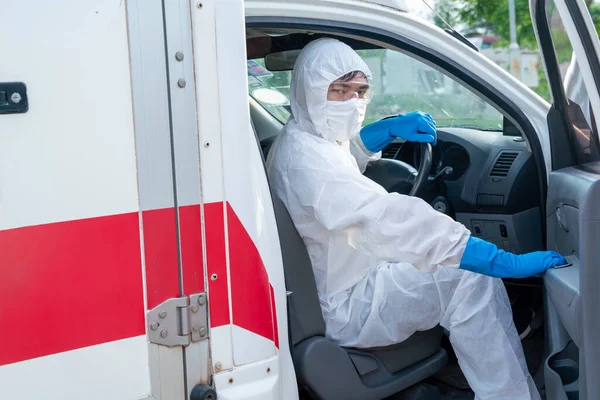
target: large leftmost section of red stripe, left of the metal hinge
69 285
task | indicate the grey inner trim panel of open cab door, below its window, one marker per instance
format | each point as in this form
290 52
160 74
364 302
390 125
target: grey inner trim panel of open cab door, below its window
572 295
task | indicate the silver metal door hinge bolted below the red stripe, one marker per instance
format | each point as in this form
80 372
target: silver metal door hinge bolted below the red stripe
179 321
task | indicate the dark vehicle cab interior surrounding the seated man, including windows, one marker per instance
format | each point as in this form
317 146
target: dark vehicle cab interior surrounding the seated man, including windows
482 172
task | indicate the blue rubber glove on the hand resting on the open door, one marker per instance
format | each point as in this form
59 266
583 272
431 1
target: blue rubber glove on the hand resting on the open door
485 258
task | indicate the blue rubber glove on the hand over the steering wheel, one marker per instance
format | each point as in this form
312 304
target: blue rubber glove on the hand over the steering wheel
413 127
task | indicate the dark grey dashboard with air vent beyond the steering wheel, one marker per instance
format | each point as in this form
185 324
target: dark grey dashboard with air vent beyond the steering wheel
493 189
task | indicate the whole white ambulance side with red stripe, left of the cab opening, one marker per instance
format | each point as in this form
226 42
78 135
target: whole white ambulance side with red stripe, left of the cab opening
113 199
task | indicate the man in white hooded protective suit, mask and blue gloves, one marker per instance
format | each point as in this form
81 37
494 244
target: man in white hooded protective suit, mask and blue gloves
387 265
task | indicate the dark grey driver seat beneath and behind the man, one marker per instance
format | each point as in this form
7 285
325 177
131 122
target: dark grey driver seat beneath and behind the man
326 370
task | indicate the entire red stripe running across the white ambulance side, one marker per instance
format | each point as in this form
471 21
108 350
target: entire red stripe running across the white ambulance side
74 284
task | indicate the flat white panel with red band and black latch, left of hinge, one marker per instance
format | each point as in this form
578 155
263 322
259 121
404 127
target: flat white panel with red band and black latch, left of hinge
71 273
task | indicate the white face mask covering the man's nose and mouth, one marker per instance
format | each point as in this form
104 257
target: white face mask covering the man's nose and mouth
344 119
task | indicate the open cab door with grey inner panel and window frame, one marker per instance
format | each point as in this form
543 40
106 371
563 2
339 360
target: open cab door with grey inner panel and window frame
570 49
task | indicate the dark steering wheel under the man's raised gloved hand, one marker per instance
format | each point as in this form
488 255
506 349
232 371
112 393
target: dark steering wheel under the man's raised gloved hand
397 176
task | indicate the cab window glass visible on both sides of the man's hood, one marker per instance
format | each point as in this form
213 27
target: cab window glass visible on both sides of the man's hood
401 85
